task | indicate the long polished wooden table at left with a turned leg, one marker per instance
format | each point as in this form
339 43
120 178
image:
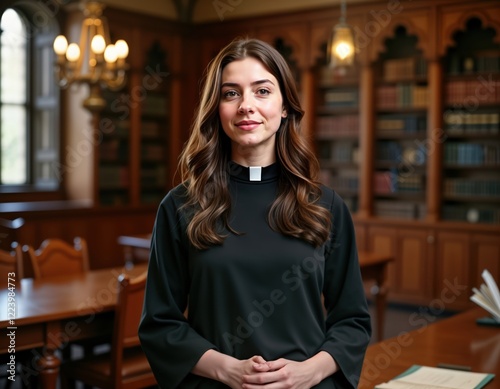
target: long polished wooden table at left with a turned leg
51 312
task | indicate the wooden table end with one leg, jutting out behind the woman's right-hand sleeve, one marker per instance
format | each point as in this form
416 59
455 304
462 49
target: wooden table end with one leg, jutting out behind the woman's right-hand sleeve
374 268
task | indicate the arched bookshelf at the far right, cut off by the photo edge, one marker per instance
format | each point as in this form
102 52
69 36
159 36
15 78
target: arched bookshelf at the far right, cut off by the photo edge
471 117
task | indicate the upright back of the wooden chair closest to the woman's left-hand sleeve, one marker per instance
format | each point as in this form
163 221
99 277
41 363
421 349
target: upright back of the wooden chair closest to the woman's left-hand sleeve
127 317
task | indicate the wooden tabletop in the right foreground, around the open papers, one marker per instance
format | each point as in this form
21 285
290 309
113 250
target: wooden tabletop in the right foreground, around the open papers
457 340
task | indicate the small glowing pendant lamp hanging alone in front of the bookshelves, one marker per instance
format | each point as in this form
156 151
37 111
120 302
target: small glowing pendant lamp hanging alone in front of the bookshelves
341 48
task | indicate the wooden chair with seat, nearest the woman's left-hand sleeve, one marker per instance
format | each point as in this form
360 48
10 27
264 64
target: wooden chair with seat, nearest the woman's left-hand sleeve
125 366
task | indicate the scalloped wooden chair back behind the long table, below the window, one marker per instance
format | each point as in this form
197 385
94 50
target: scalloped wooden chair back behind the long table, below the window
58 257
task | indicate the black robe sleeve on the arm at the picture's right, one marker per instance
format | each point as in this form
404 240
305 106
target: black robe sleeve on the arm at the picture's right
348 325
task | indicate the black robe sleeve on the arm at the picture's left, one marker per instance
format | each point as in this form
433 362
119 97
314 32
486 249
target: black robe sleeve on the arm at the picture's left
171 345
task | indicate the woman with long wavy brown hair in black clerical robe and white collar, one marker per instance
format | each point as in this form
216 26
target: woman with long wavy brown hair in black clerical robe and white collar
253 242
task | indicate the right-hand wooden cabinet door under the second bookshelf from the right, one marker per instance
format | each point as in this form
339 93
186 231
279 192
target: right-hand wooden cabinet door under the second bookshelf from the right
414 266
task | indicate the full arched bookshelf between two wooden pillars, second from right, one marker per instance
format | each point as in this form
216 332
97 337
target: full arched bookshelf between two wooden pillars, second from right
399 178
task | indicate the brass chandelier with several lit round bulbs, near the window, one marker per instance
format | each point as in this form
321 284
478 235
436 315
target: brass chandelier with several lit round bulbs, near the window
94 61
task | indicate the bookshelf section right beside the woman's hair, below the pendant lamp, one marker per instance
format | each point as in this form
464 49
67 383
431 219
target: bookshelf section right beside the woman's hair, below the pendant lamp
337 131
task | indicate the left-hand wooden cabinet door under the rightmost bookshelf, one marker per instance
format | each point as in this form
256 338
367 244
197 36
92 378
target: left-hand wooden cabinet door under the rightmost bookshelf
453 274
